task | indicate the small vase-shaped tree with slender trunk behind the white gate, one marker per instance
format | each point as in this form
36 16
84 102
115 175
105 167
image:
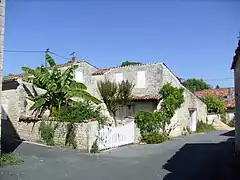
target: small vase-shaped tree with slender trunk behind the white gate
115 95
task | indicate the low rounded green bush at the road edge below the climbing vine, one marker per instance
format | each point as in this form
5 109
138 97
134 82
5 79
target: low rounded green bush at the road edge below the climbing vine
154 138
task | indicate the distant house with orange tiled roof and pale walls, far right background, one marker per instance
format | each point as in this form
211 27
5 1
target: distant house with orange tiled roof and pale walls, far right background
228 96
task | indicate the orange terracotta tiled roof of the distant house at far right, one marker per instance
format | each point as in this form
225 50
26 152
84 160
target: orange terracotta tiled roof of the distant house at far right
226 93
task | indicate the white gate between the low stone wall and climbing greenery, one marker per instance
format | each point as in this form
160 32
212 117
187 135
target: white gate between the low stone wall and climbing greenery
110 137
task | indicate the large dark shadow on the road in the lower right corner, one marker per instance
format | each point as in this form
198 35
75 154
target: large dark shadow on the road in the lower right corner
206 161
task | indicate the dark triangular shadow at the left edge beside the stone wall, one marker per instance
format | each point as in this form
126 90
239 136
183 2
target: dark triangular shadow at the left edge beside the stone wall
10 139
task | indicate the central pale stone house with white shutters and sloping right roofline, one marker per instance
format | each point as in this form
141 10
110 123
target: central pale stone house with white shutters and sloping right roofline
148 79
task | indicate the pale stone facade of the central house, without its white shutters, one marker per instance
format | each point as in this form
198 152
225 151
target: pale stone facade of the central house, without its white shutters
156 75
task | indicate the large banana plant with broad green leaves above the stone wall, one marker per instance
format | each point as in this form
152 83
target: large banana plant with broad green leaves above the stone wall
60 86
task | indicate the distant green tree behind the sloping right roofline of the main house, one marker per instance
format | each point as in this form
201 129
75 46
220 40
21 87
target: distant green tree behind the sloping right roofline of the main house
196 84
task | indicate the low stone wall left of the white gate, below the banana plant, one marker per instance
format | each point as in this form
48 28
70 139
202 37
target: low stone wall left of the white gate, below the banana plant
86 133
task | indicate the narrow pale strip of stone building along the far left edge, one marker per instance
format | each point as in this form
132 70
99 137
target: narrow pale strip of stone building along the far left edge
2 27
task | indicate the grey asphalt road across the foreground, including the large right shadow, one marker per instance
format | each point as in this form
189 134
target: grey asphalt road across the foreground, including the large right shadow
202 156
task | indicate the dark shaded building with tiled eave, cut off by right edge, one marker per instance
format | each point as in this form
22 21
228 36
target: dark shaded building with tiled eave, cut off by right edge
236 67
